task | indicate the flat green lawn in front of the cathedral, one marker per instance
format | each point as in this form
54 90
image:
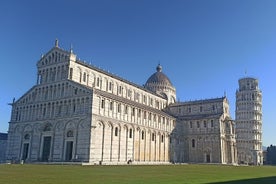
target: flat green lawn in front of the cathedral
133 174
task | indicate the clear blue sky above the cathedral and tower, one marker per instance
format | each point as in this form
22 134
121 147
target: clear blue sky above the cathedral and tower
203 46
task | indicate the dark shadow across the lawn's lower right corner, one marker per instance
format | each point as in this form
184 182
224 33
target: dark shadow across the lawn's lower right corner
264 180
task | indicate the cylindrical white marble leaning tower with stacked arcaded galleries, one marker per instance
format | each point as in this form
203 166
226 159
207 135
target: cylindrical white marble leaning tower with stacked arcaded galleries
249 122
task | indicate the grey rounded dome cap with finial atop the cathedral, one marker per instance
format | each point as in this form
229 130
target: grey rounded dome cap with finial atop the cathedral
159 78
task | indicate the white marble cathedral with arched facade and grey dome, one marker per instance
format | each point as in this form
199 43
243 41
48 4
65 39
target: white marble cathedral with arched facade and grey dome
77 112
